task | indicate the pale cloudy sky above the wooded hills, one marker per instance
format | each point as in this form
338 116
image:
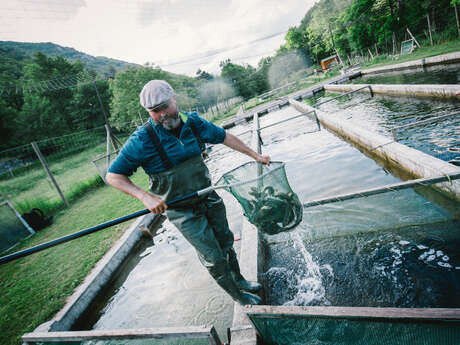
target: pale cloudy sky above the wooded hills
180 36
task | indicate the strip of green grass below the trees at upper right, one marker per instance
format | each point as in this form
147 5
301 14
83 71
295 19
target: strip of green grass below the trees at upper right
419 53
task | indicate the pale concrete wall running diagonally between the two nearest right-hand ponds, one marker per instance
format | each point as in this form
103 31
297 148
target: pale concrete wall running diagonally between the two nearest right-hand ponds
415 162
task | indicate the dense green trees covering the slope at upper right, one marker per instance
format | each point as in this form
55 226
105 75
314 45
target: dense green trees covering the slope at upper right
350 27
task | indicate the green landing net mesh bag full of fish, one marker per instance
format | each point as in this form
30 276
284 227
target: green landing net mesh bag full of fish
265 195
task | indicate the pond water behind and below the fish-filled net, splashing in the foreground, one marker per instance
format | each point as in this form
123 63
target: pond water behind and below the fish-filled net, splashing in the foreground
374 251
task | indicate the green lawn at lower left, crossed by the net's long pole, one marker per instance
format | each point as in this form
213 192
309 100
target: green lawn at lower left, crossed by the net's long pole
34 288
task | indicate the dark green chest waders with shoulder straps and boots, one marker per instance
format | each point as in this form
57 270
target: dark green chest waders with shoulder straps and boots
202 220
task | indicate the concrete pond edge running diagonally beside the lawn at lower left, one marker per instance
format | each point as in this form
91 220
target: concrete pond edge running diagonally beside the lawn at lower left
97 279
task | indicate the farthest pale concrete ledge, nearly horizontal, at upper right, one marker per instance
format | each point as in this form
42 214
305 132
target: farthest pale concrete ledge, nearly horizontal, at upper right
446 91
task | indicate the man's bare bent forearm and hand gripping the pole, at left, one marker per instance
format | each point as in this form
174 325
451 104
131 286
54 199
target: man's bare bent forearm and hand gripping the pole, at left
123 183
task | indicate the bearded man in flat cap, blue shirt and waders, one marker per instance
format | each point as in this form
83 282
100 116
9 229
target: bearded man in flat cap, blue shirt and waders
168 147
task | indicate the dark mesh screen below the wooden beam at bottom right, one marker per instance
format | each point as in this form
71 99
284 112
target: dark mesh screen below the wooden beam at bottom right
354 331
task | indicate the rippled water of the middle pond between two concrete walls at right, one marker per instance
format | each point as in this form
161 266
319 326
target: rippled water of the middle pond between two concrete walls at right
440 139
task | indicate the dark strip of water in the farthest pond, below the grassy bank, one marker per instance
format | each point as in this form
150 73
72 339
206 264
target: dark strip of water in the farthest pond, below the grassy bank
447 74
